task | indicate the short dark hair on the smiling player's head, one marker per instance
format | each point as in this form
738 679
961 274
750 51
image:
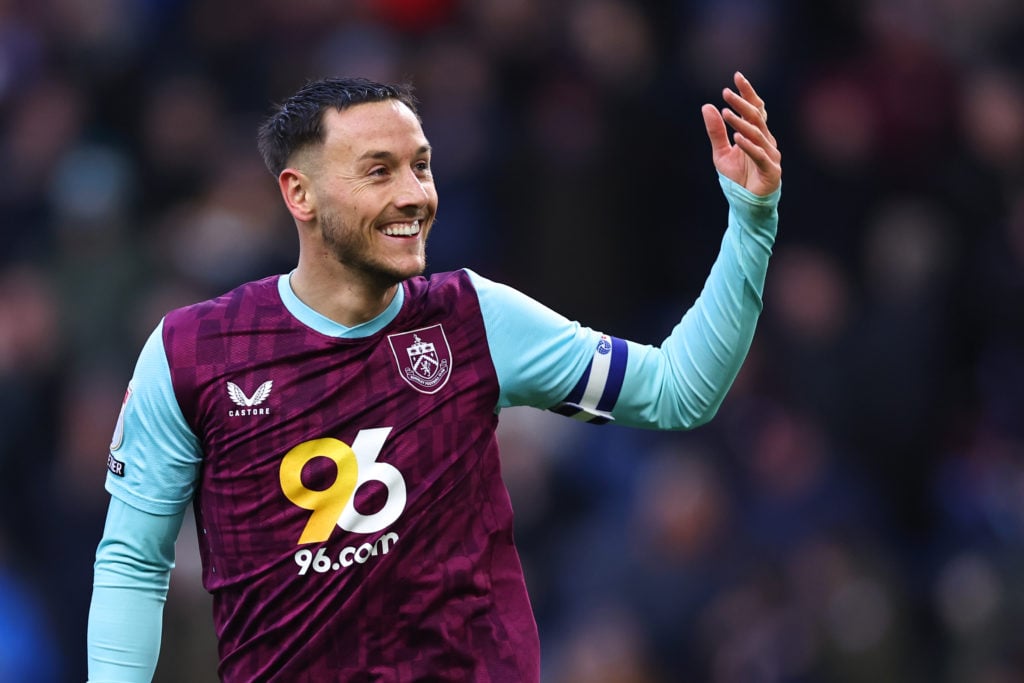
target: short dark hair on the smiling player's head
297 122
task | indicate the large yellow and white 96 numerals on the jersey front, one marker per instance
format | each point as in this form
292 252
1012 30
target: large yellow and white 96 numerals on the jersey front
357 464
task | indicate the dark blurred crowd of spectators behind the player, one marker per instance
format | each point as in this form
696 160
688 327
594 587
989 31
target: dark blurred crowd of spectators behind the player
857 510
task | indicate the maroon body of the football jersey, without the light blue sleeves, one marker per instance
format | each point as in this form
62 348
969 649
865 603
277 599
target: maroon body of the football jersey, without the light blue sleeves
354 524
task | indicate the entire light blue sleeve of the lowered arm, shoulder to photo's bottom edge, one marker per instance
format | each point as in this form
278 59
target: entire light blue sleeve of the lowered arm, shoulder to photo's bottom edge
152 469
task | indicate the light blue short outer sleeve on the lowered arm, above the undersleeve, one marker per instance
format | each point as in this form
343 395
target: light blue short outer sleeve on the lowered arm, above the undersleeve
155 457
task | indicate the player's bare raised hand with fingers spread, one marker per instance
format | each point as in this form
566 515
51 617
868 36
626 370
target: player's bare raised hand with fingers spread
752 159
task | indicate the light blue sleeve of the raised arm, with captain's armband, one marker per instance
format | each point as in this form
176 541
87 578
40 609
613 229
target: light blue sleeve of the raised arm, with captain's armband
546 361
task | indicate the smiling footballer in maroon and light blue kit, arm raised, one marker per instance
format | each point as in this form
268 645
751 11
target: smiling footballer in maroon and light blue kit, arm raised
334 428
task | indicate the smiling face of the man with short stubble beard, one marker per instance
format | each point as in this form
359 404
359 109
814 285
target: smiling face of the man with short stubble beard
375 193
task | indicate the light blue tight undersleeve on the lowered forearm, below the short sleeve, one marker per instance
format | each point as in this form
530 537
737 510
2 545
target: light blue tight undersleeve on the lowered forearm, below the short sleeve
133 574
